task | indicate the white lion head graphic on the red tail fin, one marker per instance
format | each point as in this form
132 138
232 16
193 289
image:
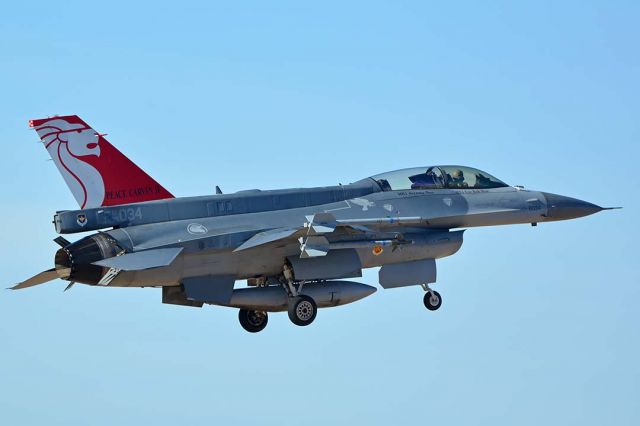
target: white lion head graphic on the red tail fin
67 143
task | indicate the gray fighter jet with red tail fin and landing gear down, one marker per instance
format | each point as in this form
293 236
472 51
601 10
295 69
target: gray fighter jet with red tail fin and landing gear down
295 247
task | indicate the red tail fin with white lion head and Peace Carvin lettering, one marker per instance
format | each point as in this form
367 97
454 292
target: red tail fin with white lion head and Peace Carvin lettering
95 171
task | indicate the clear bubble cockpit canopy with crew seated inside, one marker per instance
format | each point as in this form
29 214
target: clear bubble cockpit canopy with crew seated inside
437 177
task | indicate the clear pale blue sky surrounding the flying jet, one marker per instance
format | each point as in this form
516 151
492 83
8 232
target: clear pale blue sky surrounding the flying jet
538 325
